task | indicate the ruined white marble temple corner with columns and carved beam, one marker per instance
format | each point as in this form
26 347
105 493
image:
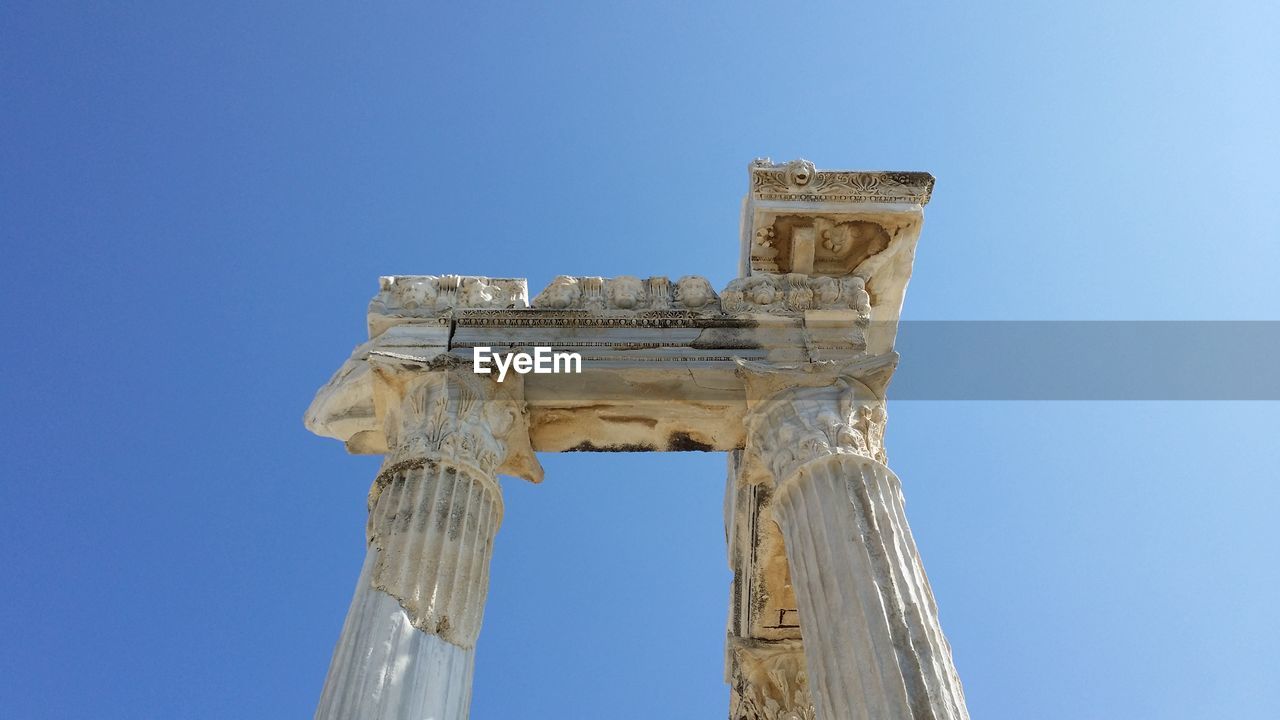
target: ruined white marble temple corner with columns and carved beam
785 371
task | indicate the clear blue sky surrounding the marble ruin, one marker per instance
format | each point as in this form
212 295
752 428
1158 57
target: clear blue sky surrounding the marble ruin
196 203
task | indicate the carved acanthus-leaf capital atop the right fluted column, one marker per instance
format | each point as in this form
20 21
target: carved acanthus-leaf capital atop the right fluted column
798 426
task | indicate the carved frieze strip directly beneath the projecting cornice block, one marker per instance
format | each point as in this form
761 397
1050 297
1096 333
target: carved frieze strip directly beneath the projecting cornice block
794 294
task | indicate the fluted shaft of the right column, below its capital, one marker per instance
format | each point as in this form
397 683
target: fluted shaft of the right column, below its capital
879 650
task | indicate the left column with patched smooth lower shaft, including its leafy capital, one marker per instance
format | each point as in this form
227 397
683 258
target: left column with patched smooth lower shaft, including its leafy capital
408 648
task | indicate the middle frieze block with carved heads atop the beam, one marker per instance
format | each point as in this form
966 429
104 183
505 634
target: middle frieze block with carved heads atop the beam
629 294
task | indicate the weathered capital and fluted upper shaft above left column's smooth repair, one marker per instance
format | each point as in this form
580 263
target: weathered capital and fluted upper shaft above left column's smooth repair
436 505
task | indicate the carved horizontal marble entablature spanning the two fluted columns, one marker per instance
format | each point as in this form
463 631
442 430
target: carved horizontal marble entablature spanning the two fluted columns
684 339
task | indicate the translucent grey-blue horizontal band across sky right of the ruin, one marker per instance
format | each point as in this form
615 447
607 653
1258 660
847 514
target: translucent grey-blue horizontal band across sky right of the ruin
1087 361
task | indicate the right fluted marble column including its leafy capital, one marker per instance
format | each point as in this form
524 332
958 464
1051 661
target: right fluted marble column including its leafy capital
872 642
